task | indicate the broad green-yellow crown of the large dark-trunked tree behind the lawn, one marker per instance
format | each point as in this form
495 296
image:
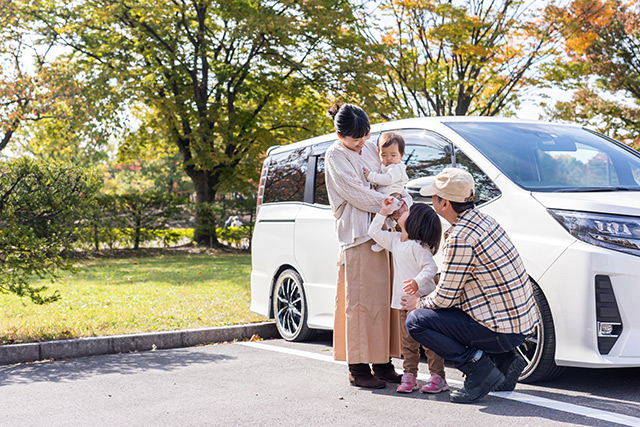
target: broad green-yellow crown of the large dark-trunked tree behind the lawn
224 79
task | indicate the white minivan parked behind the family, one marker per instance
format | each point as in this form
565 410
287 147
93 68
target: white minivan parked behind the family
568 197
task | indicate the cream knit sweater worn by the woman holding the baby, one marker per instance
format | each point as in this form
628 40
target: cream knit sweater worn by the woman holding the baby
351 197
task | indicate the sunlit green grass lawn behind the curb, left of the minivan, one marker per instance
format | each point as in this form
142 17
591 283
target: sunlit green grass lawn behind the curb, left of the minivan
141 294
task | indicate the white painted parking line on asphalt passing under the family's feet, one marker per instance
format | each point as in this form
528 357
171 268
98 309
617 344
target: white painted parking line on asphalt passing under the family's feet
511 395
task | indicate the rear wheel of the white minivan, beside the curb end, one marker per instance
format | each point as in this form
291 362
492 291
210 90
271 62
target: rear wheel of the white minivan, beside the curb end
290 307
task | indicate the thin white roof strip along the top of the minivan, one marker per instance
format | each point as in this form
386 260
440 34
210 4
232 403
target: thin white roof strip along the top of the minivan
417 122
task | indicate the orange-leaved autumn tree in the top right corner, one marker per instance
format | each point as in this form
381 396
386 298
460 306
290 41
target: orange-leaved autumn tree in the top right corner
601 65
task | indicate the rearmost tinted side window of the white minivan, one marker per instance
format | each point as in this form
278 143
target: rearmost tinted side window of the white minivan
286 176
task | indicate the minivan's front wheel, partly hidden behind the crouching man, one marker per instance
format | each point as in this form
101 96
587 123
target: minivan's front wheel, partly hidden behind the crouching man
539 349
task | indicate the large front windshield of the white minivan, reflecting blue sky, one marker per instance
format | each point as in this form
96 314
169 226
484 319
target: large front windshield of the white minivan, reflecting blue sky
554 158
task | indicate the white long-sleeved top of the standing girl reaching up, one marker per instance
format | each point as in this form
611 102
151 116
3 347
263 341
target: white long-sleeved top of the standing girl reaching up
410 261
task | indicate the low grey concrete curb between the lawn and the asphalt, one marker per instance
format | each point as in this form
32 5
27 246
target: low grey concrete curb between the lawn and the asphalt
80 347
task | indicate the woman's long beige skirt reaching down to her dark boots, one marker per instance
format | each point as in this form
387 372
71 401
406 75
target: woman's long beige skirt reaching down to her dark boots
366 328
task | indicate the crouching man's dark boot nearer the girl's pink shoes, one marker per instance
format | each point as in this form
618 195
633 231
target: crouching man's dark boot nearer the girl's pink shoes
481 377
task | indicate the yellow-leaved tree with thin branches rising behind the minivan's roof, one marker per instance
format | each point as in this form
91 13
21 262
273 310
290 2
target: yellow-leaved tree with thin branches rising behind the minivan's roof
460 58
